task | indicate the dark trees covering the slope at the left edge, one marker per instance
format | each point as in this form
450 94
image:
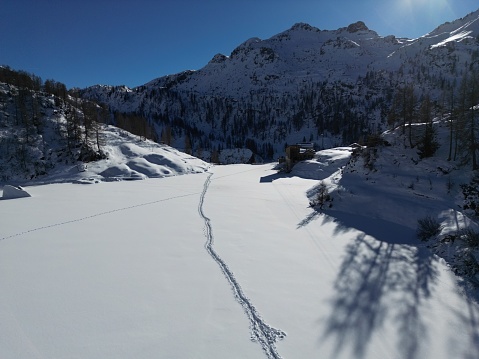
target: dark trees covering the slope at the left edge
43 124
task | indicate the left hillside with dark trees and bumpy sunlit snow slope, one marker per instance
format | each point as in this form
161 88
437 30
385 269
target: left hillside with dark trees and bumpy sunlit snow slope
47 138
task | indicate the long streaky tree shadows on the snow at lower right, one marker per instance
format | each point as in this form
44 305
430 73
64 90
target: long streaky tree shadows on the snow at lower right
381 278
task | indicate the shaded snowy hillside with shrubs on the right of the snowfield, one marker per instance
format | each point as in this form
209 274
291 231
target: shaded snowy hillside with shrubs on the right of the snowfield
383 188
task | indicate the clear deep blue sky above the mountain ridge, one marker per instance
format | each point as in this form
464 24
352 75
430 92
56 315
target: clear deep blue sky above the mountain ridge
87 42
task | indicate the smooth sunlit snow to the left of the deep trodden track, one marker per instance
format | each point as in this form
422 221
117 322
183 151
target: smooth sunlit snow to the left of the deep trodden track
110 271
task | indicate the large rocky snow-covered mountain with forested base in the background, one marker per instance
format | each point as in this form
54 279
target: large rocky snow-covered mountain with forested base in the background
302 84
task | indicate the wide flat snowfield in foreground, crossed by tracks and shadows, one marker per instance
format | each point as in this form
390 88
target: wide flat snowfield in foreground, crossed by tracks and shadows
195 266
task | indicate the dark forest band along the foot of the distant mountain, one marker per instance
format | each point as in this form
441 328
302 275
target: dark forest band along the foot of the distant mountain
264 120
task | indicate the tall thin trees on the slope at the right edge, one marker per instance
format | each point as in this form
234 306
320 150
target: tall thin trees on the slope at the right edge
458 105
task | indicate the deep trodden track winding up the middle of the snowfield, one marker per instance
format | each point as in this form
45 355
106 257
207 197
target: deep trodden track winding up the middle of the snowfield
260 331
